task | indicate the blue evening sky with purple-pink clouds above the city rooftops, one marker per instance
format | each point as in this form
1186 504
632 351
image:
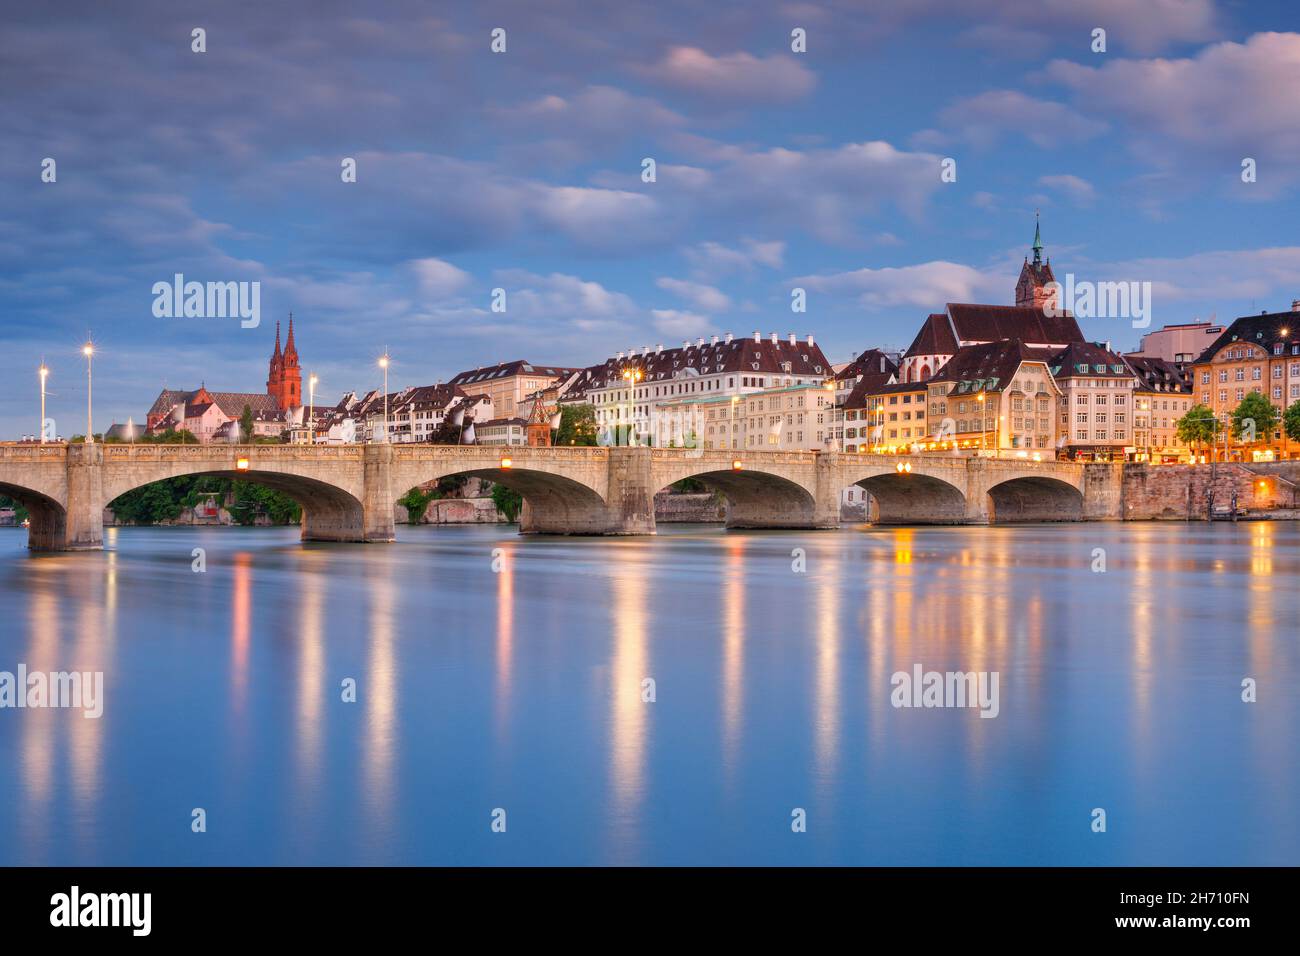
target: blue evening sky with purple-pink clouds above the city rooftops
523 171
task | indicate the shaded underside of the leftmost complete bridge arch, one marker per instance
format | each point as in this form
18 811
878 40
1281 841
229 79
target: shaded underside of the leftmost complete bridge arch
328 512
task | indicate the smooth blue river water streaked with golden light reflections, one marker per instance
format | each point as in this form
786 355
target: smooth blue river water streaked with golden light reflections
522 689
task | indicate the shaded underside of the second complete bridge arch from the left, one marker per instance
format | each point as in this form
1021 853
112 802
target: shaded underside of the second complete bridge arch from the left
548 504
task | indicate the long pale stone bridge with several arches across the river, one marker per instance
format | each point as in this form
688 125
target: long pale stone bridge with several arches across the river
349 492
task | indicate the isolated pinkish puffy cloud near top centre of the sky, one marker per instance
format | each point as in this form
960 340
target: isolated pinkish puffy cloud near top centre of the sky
733 79
